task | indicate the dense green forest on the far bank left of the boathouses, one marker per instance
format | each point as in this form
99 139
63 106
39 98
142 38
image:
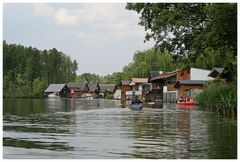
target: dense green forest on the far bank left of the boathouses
28 71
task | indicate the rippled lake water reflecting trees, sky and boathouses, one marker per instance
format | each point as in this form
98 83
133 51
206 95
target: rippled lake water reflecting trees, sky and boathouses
101 129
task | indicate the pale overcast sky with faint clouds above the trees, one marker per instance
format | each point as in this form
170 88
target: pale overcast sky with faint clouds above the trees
101 37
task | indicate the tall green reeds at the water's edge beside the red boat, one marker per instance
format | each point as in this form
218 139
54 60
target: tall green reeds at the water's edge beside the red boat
219 96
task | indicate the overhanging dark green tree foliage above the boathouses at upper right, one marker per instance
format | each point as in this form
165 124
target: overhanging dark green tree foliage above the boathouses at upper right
192 31
